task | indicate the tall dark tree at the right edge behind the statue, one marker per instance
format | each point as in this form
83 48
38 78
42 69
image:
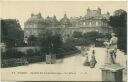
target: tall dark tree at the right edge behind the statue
119 23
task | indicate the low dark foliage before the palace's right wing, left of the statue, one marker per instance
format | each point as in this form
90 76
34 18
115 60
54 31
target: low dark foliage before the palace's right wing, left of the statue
88 38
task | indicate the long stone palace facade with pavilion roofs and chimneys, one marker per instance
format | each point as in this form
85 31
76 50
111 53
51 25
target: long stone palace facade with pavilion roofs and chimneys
94 20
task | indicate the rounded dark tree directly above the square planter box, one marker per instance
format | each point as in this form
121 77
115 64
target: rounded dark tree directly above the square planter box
50 42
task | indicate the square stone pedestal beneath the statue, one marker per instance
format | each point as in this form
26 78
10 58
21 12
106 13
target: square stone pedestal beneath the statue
112 72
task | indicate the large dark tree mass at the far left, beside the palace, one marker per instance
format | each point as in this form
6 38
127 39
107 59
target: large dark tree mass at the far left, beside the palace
11 32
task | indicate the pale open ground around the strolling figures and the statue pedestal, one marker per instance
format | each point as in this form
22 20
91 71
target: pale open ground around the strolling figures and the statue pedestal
60 70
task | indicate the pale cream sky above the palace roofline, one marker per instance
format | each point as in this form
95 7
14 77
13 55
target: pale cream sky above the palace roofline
22 10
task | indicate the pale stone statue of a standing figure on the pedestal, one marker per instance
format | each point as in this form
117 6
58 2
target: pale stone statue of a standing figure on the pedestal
111 49
